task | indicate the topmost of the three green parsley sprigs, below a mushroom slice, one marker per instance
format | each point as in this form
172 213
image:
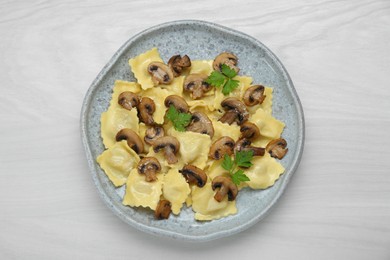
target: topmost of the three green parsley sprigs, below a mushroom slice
224 79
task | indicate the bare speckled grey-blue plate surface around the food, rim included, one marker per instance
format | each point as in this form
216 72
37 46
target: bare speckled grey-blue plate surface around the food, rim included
200 40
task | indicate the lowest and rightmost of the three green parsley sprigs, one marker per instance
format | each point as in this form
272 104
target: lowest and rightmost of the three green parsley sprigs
242 159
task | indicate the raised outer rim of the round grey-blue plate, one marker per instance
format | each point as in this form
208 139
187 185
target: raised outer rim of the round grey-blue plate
161 232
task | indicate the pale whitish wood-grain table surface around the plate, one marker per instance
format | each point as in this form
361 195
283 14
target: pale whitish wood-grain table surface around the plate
337 205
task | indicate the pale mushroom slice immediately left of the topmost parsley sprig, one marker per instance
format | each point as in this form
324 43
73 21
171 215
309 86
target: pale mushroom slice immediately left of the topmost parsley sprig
196 84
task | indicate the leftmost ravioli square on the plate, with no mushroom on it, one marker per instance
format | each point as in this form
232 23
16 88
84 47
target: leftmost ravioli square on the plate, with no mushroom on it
117 162
